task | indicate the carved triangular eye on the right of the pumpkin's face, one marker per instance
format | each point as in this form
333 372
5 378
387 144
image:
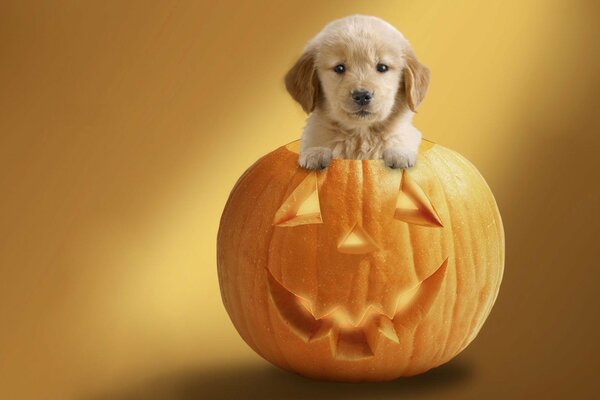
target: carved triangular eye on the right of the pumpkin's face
413 206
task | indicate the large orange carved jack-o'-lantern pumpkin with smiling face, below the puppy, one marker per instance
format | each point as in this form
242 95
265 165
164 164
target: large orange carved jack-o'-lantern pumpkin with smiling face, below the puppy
359 272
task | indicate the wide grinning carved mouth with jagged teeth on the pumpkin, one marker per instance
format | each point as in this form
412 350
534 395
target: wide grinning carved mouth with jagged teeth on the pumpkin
356 339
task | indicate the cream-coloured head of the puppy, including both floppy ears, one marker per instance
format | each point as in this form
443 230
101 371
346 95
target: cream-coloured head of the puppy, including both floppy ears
358 70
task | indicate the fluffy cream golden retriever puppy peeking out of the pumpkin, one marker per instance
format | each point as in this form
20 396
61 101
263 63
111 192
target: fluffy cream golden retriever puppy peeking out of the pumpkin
360 83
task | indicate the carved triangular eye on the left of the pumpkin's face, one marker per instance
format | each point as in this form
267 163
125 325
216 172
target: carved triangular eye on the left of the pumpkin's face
302 206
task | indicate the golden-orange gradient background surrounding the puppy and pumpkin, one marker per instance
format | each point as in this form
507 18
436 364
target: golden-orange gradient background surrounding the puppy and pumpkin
124 125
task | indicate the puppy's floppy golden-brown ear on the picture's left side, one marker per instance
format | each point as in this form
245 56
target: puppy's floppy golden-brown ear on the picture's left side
302 81
